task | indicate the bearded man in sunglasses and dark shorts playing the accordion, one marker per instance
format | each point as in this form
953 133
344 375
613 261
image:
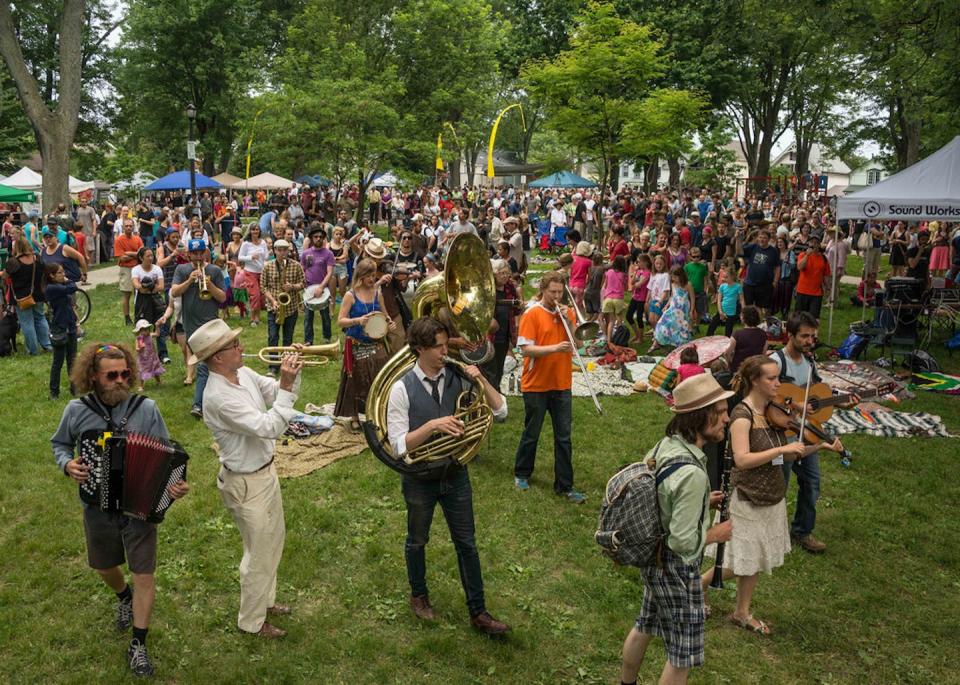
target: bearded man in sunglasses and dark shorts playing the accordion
105 372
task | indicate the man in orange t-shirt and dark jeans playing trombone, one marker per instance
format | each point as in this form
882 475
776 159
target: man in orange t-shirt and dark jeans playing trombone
547 350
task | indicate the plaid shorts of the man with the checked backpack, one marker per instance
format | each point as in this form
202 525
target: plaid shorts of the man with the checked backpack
673 609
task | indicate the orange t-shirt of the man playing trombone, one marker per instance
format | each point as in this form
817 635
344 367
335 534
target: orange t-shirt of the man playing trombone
553 371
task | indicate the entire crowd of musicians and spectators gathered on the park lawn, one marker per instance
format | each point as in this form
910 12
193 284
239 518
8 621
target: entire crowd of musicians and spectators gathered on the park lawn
662 266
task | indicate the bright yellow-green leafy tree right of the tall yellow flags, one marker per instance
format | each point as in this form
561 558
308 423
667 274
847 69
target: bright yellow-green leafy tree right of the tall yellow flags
600 88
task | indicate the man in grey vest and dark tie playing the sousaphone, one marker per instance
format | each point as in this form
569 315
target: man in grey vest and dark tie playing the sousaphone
422 404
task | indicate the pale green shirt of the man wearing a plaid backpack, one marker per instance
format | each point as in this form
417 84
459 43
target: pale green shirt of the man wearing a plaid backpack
684 498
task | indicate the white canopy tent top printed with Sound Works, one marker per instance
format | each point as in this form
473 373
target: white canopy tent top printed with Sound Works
929 190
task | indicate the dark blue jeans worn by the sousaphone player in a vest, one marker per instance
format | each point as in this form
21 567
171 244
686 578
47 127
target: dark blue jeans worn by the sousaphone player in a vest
455 497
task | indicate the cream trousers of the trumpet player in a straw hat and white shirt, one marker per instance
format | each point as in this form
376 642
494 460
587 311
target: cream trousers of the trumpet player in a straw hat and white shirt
255 503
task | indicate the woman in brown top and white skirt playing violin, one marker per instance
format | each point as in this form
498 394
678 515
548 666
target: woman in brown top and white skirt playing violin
758 510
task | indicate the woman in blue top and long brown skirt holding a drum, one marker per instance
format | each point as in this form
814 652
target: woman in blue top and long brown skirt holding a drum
363 320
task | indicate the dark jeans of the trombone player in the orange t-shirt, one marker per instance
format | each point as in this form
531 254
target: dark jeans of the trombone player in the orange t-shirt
535 406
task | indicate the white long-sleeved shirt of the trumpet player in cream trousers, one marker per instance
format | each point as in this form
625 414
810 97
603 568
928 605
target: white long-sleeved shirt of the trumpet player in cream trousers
237 415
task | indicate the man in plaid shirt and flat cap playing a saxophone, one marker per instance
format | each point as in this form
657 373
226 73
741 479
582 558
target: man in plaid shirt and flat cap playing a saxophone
282 282
